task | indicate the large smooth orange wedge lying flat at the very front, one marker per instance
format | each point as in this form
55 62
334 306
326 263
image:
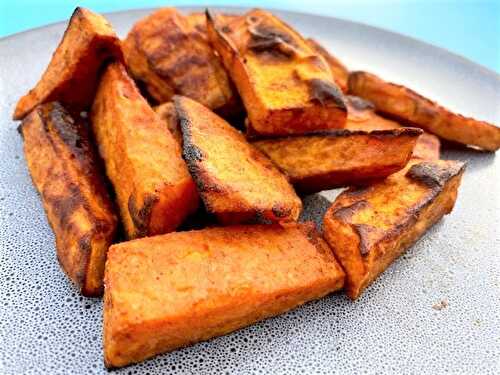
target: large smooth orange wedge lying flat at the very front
170 291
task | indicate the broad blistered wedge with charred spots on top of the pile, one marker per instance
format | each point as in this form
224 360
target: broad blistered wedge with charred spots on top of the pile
286 87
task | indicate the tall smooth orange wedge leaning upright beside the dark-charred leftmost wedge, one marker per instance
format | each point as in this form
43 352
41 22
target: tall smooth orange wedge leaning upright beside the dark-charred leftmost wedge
143 161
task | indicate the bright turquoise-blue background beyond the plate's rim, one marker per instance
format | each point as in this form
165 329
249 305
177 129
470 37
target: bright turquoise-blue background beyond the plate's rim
468 28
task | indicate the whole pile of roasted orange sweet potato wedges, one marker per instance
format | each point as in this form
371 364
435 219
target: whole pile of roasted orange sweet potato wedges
217 122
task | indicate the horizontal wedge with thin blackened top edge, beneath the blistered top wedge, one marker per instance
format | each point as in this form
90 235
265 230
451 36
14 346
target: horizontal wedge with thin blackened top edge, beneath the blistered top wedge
326 160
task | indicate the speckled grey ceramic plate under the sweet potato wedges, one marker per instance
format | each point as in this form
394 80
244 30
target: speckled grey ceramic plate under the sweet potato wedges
46 327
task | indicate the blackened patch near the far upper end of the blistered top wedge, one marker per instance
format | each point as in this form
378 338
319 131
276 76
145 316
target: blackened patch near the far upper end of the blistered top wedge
269 39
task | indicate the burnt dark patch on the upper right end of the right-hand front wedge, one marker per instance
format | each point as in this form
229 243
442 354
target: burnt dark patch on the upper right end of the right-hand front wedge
434 175
